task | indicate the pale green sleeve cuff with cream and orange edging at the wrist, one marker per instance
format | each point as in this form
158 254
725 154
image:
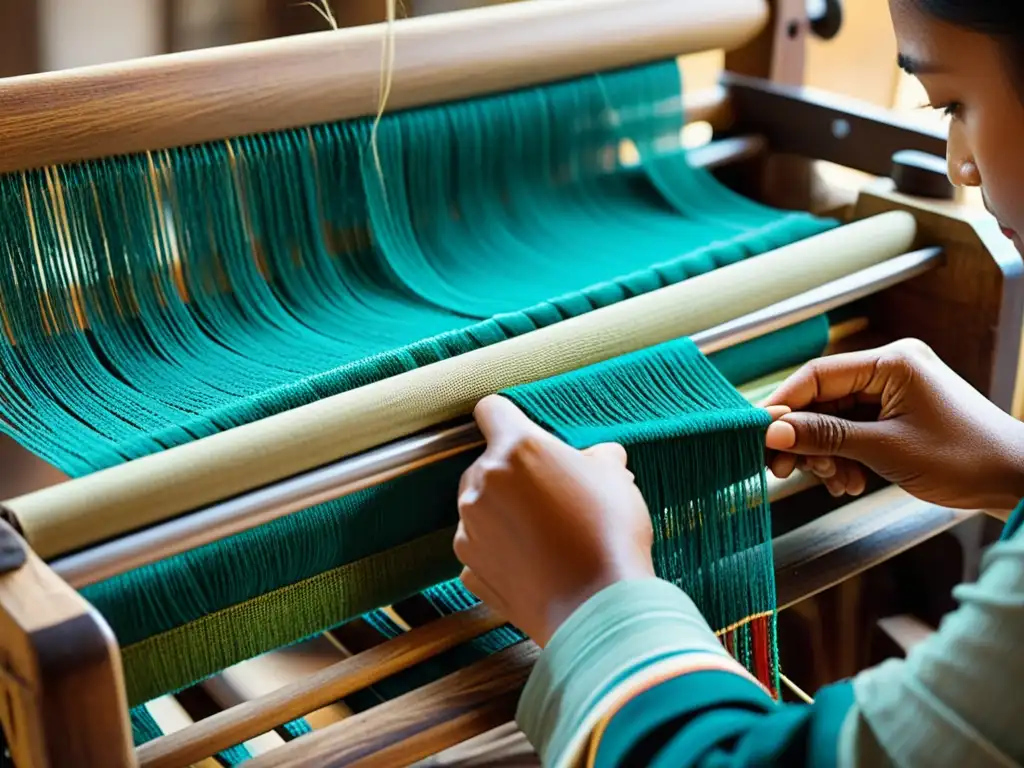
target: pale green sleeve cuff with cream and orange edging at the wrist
624 641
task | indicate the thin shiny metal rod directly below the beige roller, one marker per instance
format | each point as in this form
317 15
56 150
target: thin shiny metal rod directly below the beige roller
374 467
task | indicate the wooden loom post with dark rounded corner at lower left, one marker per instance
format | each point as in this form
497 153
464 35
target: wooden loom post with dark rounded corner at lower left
62 689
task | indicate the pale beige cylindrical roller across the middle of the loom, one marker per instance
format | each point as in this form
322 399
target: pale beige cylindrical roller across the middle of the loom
156 488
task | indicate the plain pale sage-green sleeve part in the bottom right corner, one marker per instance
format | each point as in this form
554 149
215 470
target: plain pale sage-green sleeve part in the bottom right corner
953 701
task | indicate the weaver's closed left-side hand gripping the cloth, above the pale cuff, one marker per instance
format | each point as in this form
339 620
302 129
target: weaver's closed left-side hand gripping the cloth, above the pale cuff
545 527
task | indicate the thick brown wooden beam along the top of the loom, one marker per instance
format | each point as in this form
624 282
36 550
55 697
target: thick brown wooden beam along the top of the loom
211 95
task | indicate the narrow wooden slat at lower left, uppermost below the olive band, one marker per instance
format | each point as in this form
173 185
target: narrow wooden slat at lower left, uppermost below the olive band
291 702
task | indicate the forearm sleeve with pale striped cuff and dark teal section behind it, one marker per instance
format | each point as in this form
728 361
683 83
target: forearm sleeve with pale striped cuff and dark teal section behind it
637 673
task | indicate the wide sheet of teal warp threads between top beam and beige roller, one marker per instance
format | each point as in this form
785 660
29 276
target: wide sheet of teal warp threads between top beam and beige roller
225 283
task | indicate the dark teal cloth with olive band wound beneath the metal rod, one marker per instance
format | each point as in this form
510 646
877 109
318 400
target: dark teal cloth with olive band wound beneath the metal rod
195 614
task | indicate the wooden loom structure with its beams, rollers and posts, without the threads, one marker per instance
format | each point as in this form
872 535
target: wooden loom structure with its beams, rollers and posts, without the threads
913 265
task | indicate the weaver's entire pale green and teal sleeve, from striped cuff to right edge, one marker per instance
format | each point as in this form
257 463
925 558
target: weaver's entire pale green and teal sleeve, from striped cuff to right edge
636 674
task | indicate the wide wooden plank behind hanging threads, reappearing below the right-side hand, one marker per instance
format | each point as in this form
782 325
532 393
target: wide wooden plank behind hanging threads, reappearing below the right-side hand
812 559
